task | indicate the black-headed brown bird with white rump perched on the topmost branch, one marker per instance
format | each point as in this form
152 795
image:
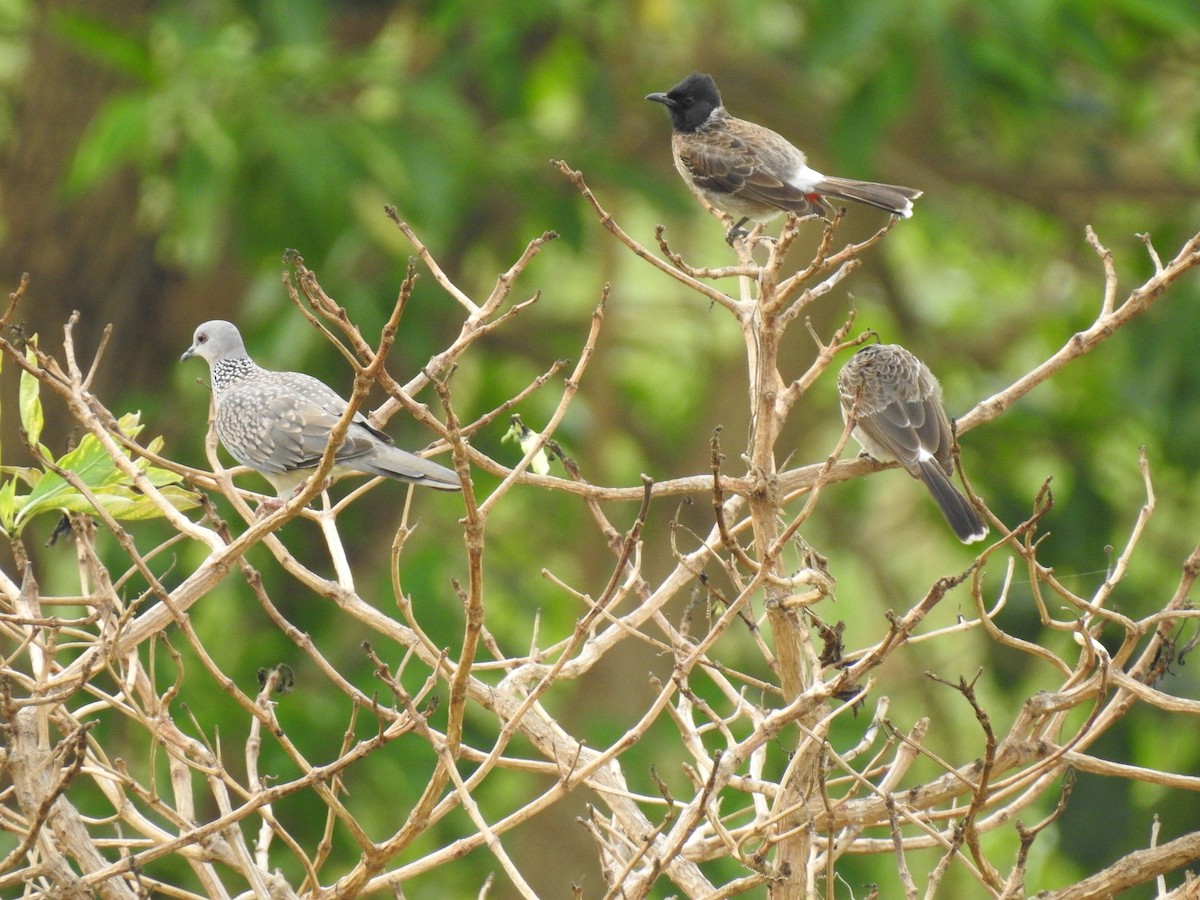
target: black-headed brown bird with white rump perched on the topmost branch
751 172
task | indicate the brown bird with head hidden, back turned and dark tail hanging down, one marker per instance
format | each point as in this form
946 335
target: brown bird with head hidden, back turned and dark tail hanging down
896 406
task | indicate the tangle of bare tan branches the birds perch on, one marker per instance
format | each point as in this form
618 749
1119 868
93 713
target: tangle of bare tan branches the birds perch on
793 763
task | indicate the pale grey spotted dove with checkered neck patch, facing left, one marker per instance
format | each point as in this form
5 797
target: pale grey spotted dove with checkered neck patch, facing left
279 423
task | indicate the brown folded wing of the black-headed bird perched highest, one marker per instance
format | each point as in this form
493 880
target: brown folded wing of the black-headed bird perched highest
748 161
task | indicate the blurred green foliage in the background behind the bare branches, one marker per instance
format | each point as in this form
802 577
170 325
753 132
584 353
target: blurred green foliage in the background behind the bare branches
255 127
